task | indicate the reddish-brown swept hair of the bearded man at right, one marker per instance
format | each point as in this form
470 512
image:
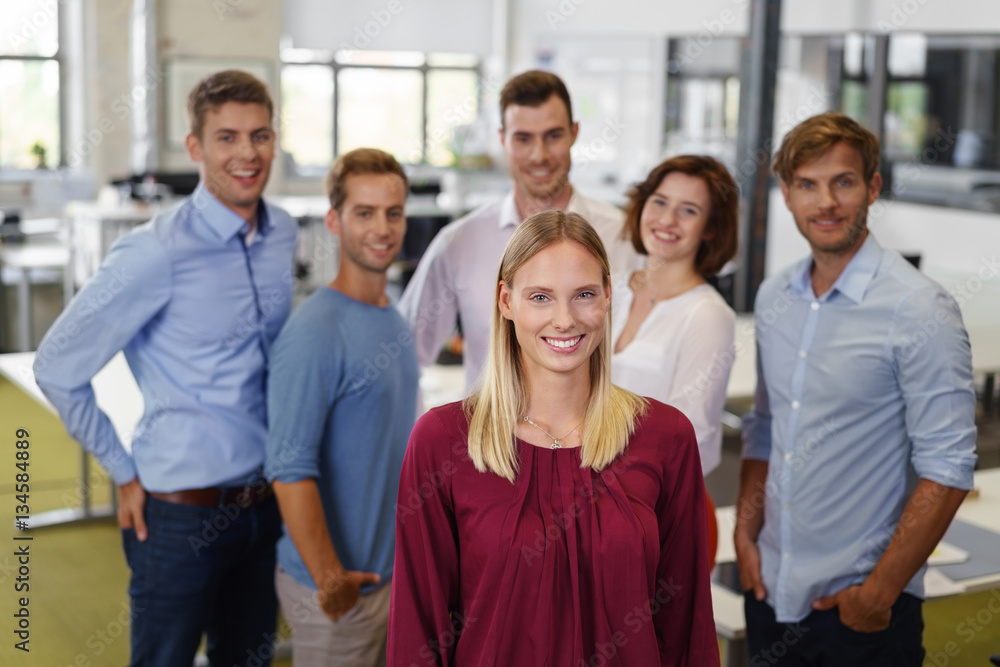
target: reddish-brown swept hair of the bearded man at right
815 136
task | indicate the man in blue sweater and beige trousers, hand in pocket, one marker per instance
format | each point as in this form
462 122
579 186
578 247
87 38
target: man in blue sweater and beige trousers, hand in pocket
342 399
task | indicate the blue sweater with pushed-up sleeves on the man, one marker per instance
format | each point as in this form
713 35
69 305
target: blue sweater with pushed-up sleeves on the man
342 399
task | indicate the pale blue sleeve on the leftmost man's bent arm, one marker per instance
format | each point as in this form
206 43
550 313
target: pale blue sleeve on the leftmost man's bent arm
132 285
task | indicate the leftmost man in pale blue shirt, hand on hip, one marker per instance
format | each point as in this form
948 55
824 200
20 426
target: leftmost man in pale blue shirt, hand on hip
195 298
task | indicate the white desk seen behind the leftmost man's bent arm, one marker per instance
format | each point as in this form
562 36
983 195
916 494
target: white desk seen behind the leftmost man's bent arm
117 395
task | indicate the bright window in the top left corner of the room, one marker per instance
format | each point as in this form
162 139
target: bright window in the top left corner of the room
30 133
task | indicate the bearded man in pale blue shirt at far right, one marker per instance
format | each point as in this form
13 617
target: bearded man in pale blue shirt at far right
860 445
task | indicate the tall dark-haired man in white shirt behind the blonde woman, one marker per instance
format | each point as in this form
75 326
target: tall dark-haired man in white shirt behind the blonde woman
457 276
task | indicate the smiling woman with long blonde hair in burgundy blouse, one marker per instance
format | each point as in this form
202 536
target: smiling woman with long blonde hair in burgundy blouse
553 518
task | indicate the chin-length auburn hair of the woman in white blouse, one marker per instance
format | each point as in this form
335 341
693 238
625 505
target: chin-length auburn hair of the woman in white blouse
720 244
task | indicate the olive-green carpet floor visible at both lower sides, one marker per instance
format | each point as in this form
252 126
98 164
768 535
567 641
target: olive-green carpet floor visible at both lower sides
77 600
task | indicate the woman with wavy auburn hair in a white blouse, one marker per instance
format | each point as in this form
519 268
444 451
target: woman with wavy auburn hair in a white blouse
672 331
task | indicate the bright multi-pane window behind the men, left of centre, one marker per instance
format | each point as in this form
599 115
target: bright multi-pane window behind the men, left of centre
406 103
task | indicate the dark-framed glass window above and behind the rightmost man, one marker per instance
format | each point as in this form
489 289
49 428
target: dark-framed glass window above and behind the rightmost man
942 112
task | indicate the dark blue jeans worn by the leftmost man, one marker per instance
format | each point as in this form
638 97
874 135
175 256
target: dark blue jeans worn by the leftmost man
204 570
